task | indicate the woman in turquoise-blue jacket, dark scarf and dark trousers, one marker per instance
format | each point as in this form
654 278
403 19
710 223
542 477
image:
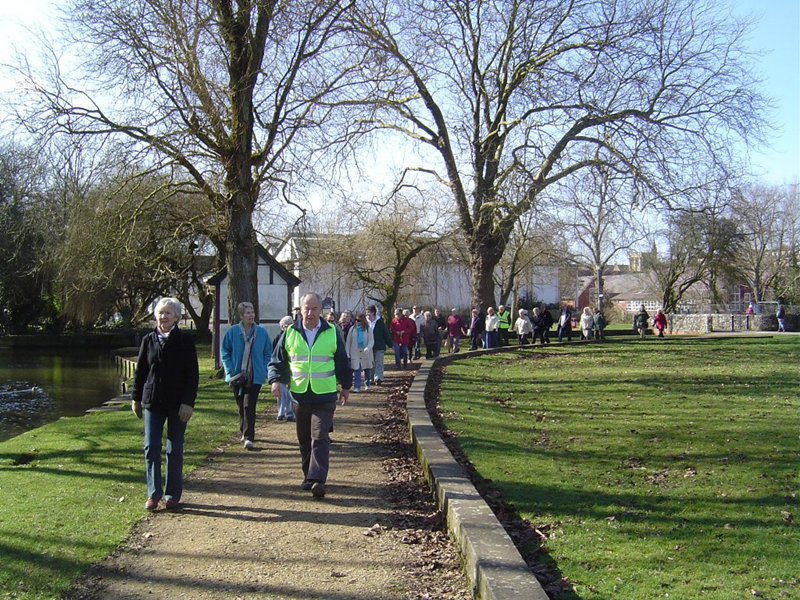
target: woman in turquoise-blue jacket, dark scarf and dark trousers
245 353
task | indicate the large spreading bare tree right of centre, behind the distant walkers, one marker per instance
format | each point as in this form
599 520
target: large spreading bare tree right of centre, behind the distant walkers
490 88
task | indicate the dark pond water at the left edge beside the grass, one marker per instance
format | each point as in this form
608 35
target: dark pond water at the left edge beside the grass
37 386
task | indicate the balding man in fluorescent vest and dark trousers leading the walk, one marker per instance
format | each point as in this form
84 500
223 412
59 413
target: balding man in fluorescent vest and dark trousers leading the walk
311 359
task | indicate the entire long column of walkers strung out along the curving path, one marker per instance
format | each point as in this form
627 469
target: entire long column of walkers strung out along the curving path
312 365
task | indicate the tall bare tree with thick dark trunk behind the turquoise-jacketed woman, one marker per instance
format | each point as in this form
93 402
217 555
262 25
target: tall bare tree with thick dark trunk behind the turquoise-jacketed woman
214 92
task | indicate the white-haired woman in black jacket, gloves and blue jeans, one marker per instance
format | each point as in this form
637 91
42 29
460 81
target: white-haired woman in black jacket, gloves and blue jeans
164 391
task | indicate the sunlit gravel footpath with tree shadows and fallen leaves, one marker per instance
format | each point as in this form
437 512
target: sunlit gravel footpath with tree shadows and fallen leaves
248 531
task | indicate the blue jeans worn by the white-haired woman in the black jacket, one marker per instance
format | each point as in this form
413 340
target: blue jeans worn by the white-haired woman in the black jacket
153 431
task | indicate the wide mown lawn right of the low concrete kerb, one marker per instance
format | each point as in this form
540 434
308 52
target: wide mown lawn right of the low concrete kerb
663 468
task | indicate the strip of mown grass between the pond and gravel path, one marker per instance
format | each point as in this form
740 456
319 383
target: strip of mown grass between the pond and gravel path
71 490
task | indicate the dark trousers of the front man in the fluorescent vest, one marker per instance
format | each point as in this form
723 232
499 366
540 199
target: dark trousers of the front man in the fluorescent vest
314 422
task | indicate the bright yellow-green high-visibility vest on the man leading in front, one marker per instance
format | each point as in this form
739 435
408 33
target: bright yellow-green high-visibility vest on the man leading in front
313 365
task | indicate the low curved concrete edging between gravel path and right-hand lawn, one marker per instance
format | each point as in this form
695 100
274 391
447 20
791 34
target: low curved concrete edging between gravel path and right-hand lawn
492 563
